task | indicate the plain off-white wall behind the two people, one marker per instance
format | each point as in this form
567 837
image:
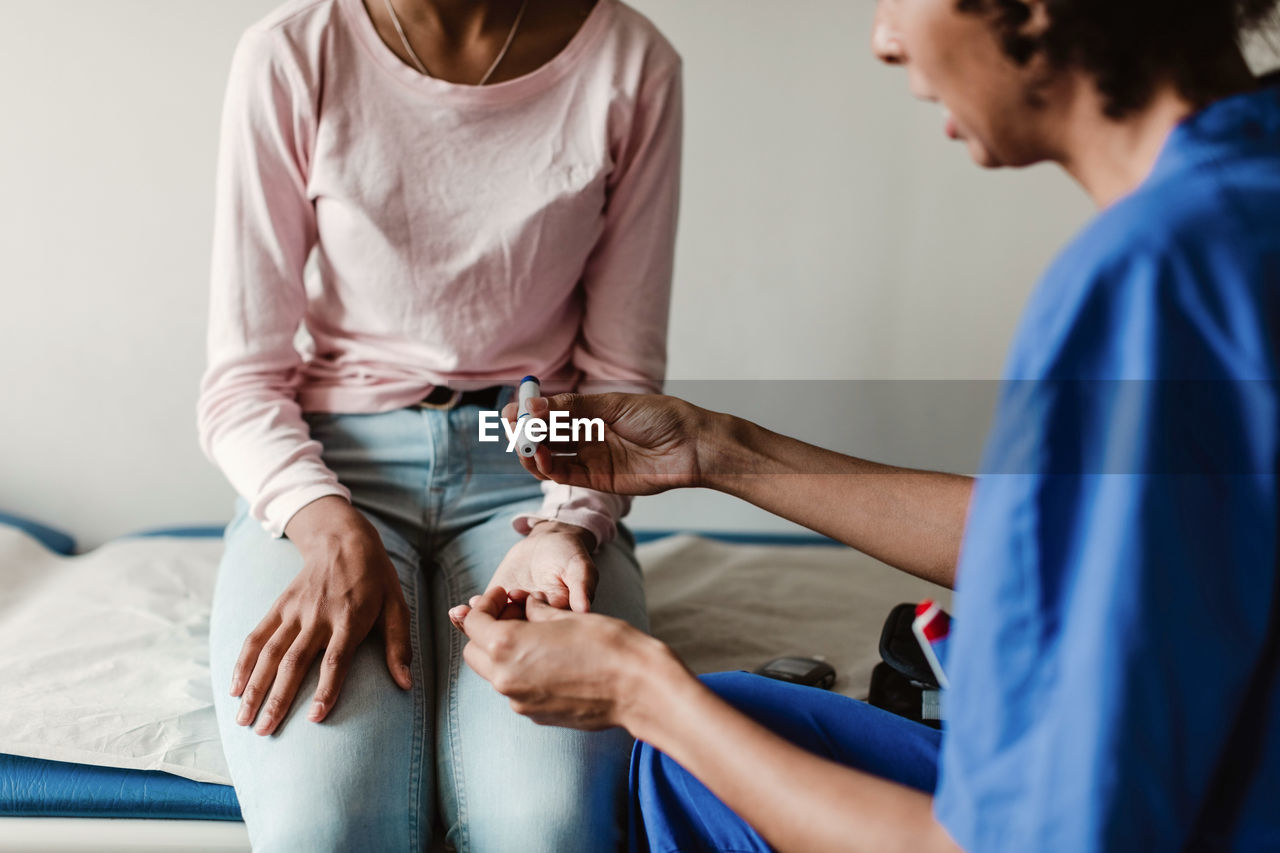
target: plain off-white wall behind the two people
829 232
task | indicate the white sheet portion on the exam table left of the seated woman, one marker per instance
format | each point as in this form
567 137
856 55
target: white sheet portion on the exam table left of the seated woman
104 656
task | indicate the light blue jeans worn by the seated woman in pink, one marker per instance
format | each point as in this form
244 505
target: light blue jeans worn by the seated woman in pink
390 767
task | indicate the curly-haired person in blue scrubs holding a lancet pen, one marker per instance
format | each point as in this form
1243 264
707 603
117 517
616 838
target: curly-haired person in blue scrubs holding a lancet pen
1114 665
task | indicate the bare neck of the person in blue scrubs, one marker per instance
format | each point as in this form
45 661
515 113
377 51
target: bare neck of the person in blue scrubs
1110 158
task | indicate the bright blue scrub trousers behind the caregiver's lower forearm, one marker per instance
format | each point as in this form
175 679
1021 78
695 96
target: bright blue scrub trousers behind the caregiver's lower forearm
673 813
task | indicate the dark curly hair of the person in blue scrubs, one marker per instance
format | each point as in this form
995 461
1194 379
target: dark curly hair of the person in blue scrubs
1132 45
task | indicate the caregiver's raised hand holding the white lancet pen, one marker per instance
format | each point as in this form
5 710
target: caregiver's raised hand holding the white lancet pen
652 444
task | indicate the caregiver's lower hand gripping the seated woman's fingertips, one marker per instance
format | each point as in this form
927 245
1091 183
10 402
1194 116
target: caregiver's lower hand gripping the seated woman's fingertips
565 669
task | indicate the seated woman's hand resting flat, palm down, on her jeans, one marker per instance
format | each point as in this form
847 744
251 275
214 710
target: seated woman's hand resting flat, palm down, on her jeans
346 587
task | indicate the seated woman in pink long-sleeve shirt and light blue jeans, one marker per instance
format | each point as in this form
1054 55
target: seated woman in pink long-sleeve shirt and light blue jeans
420 202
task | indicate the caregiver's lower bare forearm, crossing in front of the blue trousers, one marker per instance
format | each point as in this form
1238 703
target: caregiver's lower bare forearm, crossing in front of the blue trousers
796 800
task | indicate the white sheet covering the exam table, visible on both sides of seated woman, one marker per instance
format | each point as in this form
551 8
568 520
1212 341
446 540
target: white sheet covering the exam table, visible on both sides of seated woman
104 656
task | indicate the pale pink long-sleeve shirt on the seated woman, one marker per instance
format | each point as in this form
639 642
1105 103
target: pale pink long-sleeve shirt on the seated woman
426 234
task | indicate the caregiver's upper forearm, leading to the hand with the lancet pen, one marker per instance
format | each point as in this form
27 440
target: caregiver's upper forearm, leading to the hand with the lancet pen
909 519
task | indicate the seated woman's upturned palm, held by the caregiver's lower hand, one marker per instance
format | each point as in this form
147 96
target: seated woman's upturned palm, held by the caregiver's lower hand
555 560
